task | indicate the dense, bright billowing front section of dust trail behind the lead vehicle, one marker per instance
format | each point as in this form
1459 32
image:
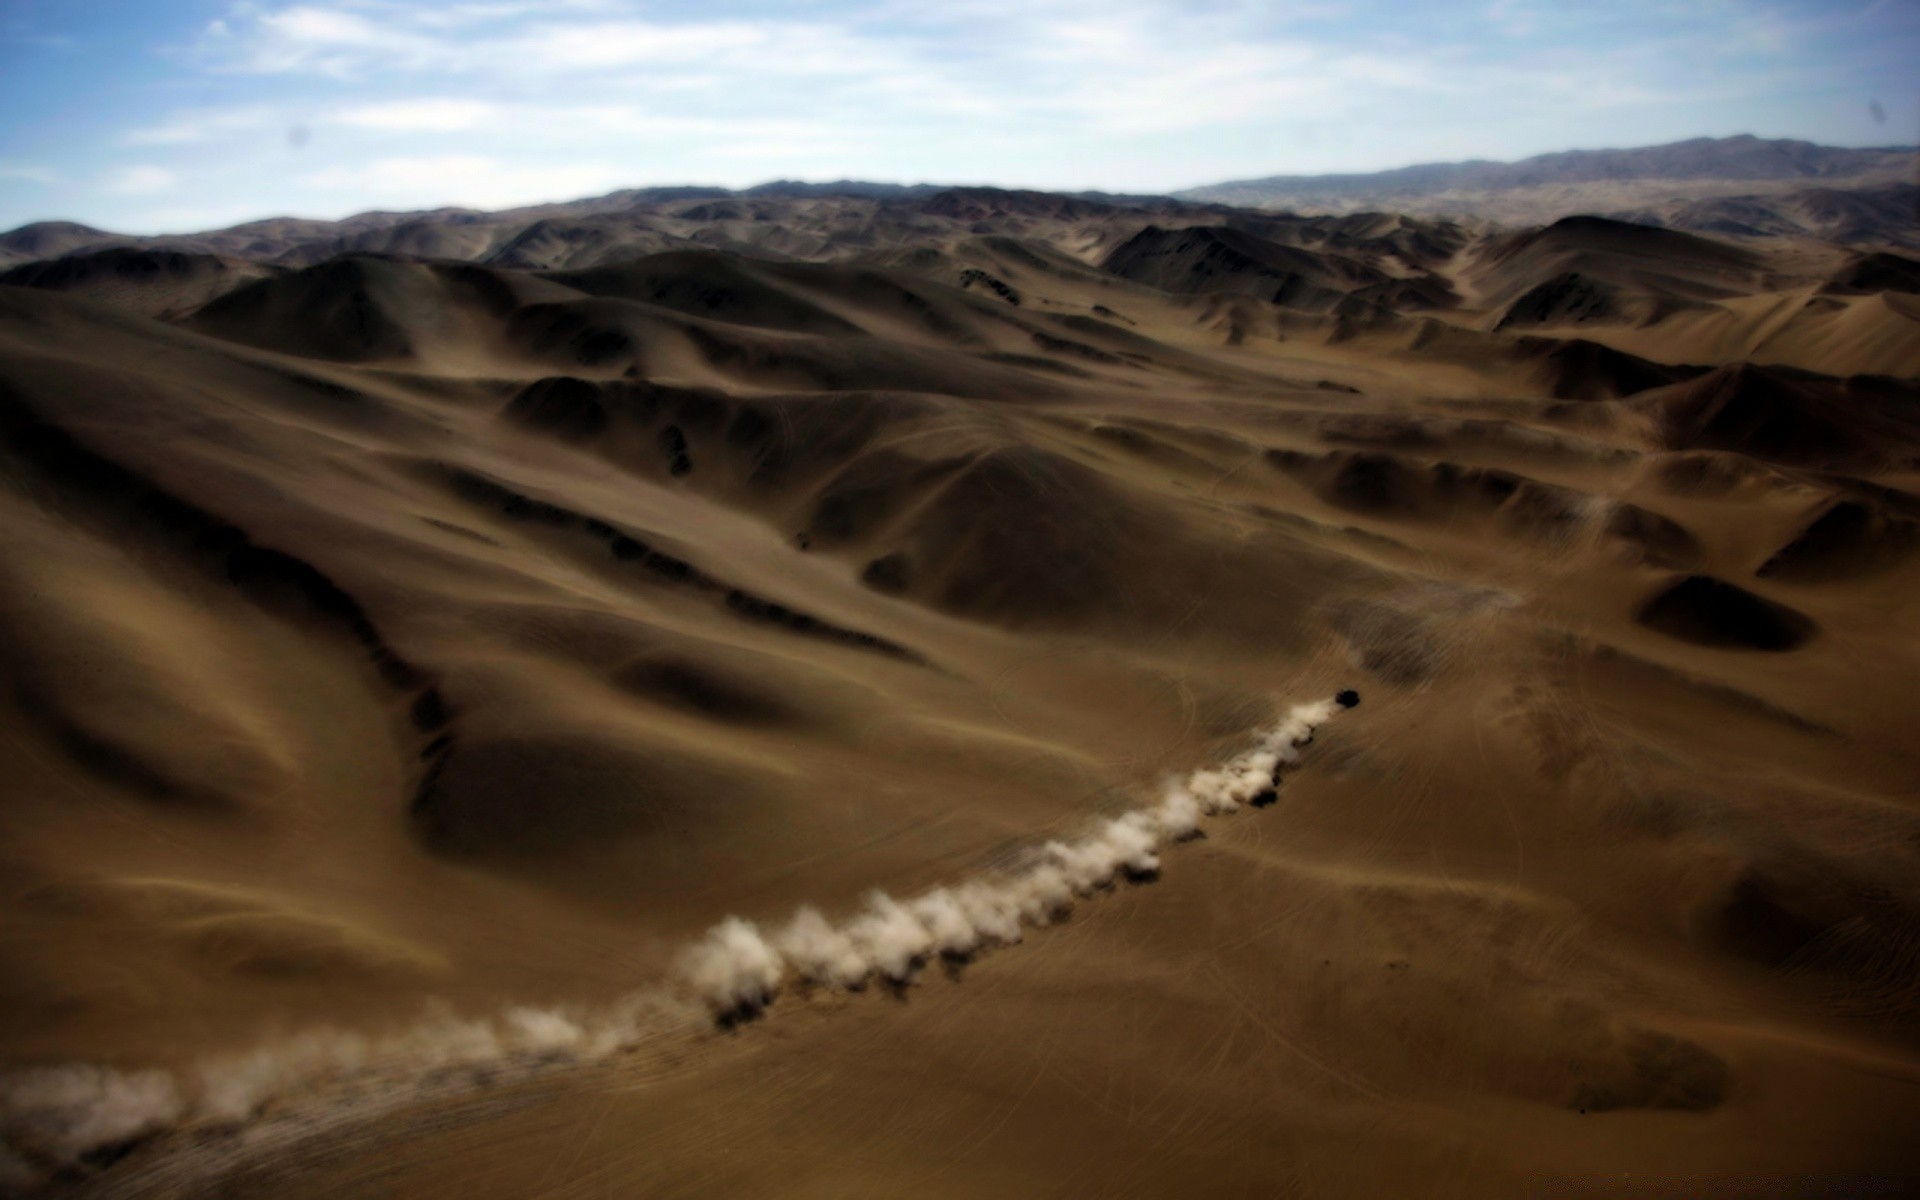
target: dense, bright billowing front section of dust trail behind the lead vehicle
738 971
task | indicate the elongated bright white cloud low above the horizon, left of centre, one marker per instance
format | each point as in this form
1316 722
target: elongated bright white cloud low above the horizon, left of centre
464 180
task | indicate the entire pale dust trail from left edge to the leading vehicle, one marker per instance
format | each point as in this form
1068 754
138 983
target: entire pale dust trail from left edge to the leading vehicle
66 1124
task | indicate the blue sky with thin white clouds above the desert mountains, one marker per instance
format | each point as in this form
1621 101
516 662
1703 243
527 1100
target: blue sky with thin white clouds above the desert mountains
170 116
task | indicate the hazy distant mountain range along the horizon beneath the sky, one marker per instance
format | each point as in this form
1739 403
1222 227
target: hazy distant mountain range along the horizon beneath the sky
1731 187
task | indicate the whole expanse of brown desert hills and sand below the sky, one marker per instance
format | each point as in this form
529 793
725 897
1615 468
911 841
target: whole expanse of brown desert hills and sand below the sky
420 629
